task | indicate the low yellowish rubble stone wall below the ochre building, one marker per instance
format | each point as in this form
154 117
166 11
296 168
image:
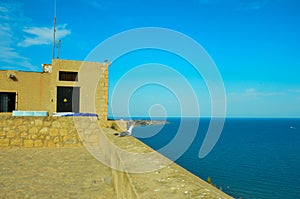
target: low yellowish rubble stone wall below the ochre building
50 131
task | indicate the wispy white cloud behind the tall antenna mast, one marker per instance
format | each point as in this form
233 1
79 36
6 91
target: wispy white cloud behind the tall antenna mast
43 35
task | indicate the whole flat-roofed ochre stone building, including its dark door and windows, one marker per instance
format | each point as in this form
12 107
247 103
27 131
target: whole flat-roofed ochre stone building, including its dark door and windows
63 86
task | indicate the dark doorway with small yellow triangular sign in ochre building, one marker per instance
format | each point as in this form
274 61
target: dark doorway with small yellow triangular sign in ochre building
68 99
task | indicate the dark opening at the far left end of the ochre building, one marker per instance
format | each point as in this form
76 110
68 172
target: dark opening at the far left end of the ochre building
7 101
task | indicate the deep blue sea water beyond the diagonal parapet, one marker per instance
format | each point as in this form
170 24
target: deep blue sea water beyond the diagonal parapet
253 158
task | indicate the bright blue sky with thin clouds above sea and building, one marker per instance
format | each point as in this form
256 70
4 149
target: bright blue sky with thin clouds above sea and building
255 45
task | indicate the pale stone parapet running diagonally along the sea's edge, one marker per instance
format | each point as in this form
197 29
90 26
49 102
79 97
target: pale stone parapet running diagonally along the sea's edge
153 176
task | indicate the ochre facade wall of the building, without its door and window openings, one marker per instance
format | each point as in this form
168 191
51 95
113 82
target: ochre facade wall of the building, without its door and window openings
38 91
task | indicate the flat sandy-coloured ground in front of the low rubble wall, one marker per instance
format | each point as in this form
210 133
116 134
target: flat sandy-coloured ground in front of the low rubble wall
53 173
